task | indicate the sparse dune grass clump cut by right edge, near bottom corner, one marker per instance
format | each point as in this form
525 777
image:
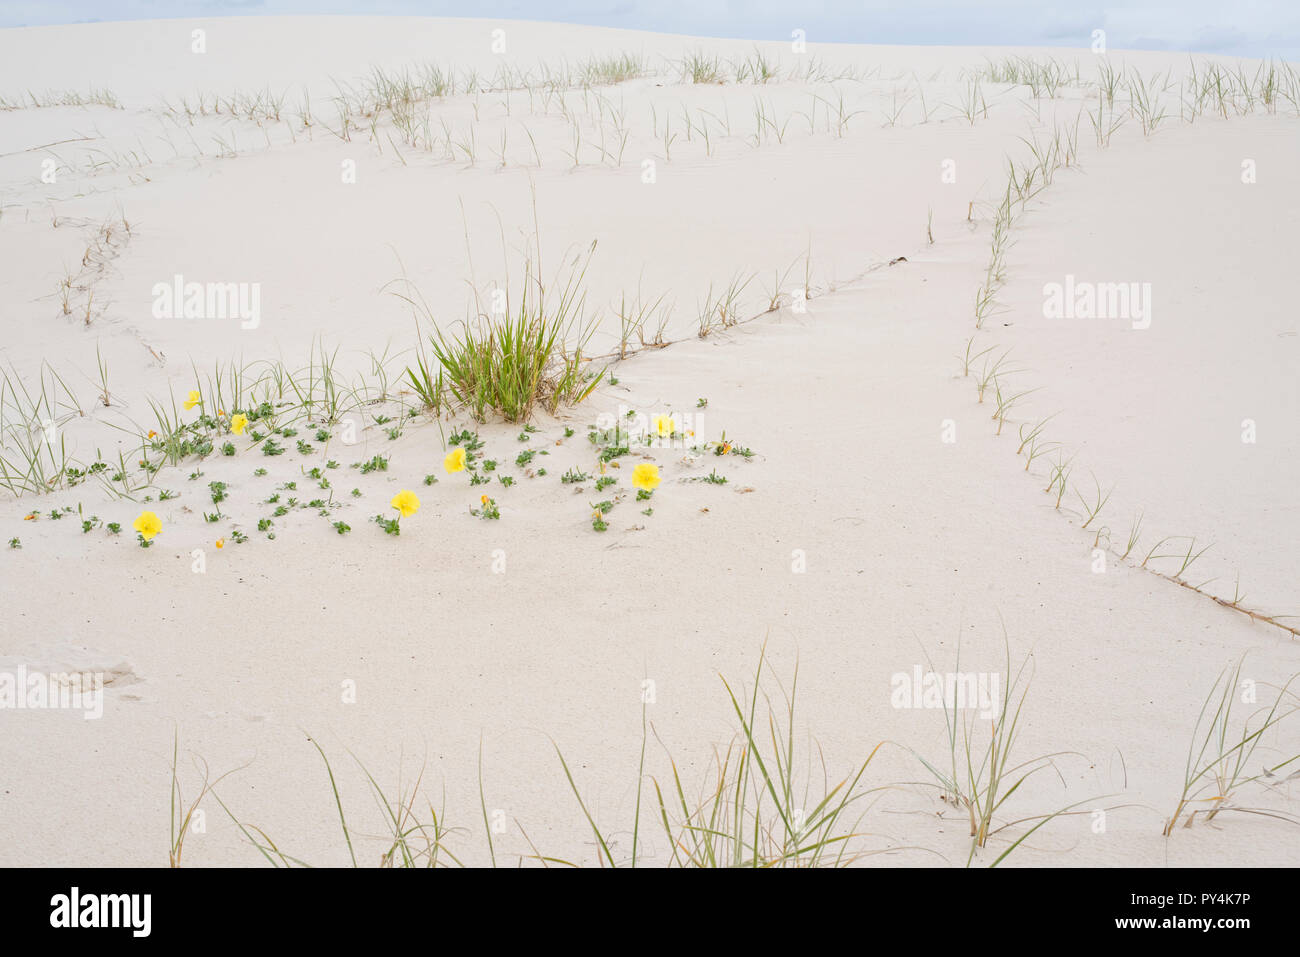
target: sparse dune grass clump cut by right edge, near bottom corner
1223 754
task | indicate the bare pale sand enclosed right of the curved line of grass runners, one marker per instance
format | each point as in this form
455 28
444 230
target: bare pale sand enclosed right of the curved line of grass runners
1152 408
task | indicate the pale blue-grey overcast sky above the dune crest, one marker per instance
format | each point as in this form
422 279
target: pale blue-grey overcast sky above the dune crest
1238 28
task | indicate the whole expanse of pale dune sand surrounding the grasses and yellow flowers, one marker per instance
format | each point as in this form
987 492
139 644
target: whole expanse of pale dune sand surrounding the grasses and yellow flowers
911 543
